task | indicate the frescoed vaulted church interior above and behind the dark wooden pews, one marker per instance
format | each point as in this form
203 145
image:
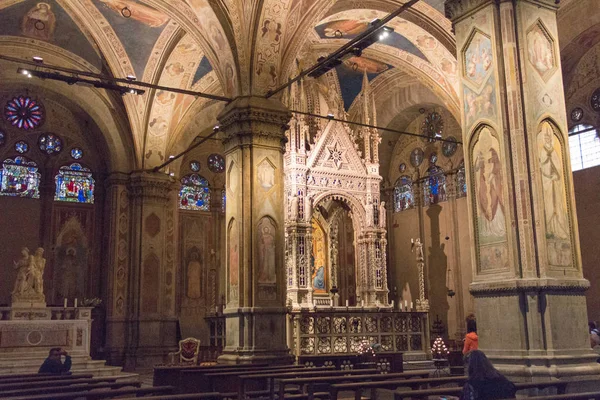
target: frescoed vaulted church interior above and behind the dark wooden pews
287 179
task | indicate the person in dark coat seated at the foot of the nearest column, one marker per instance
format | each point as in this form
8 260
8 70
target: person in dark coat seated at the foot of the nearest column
485 382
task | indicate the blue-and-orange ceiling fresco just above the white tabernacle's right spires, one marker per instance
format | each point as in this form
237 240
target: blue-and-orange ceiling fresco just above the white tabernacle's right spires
350 74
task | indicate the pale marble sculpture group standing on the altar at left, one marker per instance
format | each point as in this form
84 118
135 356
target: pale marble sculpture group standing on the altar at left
29 285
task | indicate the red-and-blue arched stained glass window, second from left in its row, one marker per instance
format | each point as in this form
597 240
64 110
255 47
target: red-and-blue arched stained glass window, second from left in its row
74 183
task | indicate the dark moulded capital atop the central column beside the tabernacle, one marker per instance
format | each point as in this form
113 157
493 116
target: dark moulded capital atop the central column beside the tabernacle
254 120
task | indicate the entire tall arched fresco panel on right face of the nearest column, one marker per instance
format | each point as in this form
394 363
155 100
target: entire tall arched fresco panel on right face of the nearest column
555 197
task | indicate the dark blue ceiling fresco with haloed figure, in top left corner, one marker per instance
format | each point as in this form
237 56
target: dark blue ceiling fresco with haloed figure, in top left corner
54 25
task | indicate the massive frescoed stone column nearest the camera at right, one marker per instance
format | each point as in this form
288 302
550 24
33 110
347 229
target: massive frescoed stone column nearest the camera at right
527 285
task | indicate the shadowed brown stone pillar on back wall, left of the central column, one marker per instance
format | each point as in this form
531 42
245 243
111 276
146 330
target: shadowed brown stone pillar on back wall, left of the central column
150 311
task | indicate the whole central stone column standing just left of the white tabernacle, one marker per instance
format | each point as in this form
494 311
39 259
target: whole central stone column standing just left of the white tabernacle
253 136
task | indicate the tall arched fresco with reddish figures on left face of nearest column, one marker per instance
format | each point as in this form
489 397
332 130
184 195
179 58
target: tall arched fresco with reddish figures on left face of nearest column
489 195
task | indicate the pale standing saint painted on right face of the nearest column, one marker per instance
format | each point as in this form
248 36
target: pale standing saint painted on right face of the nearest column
551 167
